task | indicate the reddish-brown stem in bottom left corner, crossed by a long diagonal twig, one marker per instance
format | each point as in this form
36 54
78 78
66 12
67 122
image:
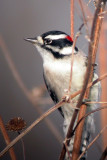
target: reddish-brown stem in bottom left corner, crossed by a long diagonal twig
7 139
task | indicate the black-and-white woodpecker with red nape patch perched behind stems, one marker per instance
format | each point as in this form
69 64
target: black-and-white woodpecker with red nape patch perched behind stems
55 48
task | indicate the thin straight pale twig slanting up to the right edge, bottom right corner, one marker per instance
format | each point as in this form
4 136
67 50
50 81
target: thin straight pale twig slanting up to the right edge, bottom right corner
99 134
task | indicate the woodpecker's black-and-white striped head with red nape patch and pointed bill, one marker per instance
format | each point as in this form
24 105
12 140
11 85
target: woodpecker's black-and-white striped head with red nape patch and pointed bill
53 44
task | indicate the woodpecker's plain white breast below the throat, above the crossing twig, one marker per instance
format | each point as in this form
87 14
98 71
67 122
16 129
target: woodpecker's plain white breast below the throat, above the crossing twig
57 74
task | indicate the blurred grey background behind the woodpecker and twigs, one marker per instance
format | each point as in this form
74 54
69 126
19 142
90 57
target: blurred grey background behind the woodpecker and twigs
21 74
